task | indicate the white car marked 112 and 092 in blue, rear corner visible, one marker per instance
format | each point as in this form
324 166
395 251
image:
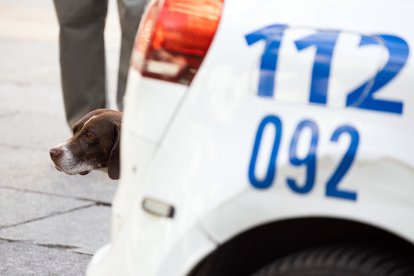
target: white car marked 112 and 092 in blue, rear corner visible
268 137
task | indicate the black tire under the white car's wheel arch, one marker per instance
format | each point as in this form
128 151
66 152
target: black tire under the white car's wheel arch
339 261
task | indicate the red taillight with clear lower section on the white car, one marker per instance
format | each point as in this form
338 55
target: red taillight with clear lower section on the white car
174 37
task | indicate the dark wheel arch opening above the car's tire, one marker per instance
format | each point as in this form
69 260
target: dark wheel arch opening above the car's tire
254 248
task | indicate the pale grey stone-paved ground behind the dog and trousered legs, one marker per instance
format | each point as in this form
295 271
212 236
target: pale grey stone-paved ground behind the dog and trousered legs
50 223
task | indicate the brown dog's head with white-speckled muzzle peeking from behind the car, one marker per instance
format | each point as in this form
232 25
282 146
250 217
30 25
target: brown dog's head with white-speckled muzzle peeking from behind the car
94 145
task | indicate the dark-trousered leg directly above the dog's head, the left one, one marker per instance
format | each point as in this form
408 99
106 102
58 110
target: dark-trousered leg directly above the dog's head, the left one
82 55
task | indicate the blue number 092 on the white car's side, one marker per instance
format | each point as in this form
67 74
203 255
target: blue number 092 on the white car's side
309 161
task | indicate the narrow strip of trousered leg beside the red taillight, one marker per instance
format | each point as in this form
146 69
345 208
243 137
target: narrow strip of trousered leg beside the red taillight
130 12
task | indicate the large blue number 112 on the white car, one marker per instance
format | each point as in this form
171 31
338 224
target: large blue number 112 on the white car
324 42
